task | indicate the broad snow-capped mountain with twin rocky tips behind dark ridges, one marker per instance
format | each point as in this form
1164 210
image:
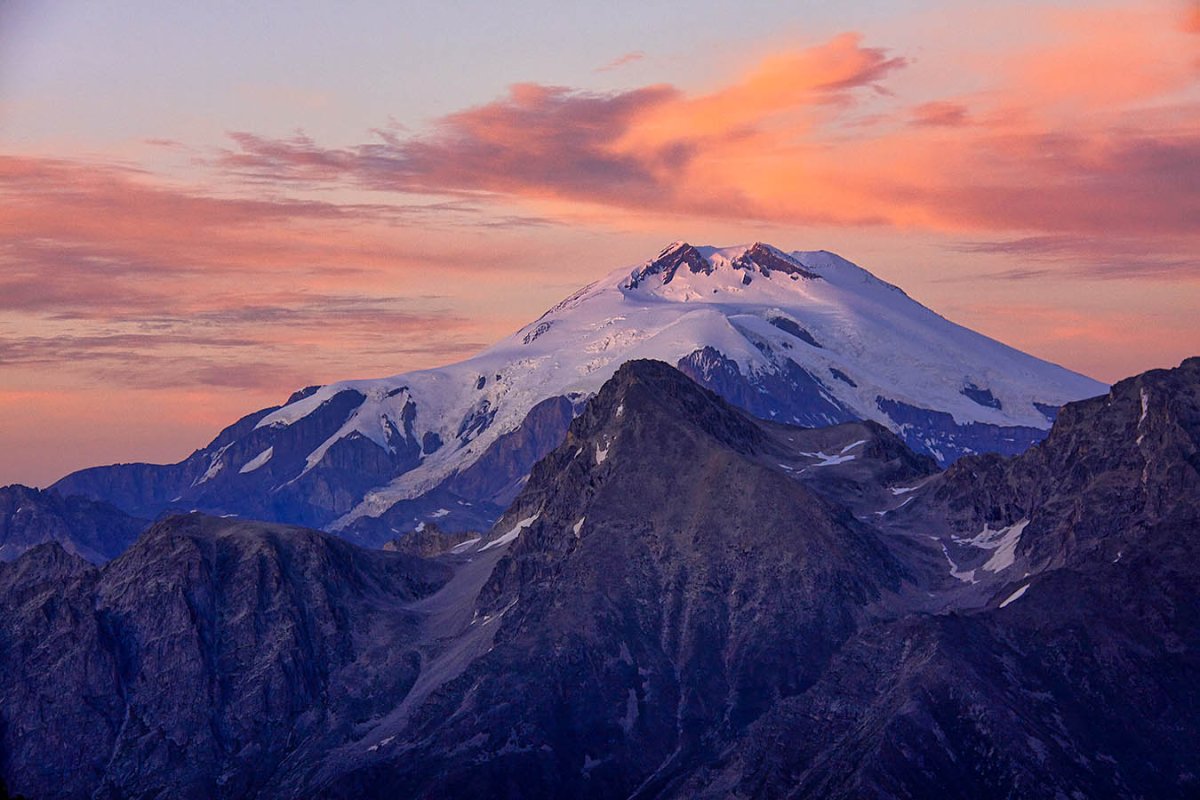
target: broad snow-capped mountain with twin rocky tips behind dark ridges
805 338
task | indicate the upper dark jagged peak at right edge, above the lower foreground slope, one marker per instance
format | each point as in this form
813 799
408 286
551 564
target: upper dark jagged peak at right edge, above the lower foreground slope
1112 468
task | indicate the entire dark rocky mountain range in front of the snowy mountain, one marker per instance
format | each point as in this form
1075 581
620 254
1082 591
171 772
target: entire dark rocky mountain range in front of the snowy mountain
682 601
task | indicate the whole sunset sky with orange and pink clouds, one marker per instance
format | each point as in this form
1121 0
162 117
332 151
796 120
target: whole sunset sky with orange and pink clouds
208 206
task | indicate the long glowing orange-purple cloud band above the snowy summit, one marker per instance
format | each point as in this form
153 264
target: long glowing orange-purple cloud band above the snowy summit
785 142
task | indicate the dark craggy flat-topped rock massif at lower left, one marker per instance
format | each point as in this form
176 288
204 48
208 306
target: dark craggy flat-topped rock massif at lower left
201 661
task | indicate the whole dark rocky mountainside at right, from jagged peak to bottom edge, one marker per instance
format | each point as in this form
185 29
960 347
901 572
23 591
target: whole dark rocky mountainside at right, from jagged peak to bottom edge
1078 678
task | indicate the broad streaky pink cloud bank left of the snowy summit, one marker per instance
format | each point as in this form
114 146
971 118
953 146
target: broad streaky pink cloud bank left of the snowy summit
116 278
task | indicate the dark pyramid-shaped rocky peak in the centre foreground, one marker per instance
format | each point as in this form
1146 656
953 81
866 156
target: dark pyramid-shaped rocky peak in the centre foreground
670 586
